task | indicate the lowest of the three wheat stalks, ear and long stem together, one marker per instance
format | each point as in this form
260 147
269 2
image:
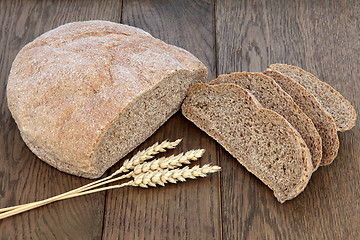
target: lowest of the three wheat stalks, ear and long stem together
151 178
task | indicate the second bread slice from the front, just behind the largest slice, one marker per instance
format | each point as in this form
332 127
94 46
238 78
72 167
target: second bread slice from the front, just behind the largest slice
271 96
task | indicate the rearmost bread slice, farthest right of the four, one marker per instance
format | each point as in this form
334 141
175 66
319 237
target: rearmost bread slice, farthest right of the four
331 100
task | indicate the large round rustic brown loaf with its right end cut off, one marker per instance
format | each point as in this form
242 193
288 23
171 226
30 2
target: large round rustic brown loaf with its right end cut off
87 93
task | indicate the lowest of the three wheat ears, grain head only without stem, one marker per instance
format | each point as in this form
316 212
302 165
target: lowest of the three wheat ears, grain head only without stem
160 177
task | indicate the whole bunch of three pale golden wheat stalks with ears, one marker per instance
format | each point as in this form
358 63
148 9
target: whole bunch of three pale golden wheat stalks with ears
156 172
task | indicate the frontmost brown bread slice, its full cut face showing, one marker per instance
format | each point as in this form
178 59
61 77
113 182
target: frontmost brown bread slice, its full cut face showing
260 139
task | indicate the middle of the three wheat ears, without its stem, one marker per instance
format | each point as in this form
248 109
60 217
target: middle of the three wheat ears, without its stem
169 162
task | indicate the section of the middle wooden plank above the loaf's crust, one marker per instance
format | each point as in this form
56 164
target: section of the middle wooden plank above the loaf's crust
186 24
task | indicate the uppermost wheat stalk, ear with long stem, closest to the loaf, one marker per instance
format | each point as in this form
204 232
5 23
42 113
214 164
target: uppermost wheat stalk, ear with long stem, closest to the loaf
129 164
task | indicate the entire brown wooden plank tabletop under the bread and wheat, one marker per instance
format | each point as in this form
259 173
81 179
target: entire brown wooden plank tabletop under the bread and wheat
319 36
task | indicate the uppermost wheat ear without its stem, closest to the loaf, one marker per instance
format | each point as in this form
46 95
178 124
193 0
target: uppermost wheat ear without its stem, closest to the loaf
146 154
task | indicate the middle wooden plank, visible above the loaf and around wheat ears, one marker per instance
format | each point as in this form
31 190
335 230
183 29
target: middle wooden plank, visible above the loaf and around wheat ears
188 210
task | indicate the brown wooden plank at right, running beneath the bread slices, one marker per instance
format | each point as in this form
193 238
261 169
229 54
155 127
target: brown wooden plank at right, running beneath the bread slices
322 37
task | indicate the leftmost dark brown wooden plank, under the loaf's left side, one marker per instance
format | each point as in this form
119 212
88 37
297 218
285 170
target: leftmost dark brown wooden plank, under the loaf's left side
23 177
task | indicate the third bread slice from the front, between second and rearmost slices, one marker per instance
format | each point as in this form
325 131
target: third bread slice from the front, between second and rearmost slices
322 120
